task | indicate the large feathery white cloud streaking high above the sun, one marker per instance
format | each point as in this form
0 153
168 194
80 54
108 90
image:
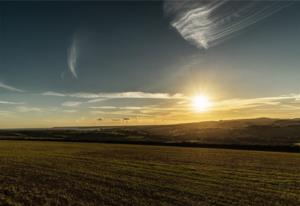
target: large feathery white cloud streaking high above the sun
207 23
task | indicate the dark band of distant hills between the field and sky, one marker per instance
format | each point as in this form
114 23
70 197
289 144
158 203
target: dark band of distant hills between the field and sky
261 131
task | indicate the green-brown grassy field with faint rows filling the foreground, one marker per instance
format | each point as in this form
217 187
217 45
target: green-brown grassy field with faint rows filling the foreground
57 173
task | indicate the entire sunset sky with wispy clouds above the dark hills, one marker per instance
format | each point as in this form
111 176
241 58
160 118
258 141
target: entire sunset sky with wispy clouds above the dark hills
144 62
